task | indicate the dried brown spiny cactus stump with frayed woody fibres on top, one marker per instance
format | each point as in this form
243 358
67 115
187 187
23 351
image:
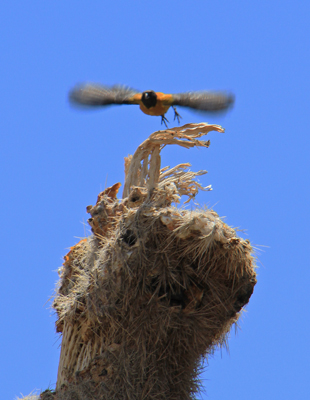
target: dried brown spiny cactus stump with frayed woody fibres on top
154 289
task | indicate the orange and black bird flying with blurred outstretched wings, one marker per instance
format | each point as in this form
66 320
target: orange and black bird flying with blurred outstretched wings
150 102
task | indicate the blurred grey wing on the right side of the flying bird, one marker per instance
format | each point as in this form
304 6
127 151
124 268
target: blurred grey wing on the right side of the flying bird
204 101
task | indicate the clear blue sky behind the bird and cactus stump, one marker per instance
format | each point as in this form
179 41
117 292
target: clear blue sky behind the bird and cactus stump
55 160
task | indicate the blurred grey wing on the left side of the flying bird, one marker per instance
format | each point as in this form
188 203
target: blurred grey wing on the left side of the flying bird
97 95
